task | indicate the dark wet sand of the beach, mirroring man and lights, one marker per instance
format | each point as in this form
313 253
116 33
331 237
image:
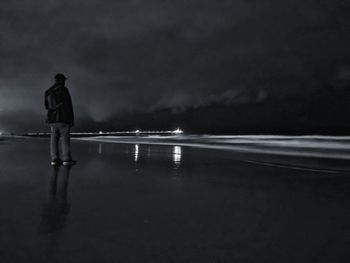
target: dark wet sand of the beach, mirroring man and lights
158 203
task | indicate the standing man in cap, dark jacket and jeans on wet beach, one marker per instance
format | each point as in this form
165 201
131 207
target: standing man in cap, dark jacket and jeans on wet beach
60 116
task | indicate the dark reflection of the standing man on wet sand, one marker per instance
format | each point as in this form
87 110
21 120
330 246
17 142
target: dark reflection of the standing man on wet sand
57 208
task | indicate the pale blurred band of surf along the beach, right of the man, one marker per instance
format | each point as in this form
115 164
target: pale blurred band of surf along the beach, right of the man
330 147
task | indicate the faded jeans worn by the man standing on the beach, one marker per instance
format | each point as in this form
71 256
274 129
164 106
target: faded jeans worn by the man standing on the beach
60 132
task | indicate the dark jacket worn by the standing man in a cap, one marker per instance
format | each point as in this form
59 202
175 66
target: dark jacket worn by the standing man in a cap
59 105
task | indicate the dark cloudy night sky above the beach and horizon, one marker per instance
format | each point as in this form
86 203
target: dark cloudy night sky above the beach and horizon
129 57
